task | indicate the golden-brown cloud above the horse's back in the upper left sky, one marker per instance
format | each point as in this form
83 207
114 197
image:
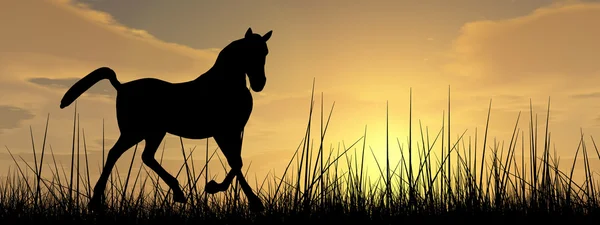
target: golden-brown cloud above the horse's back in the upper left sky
64 39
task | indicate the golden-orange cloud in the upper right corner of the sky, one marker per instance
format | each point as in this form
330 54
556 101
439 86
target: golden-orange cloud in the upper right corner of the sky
553 47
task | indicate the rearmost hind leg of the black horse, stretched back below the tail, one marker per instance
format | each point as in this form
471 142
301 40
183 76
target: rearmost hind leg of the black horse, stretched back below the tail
125 142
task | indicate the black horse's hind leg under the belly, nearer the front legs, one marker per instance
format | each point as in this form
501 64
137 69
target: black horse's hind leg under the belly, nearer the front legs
152 144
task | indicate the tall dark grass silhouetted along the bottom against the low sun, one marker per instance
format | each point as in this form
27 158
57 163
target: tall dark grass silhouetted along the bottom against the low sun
451 182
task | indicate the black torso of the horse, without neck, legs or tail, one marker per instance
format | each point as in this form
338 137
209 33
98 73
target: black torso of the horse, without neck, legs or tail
186 109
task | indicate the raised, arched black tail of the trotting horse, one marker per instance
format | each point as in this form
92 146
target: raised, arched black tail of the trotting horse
88 81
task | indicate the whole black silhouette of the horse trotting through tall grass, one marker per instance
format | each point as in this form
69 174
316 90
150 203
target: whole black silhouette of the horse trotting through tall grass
148 109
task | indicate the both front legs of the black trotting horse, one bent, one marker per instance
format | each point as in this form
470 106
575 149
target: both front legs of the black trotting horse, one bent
231 146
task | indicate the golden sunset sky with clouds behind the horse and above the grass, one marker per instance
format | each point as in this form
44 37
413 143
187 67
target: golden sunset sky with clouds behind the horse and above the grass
361 55
